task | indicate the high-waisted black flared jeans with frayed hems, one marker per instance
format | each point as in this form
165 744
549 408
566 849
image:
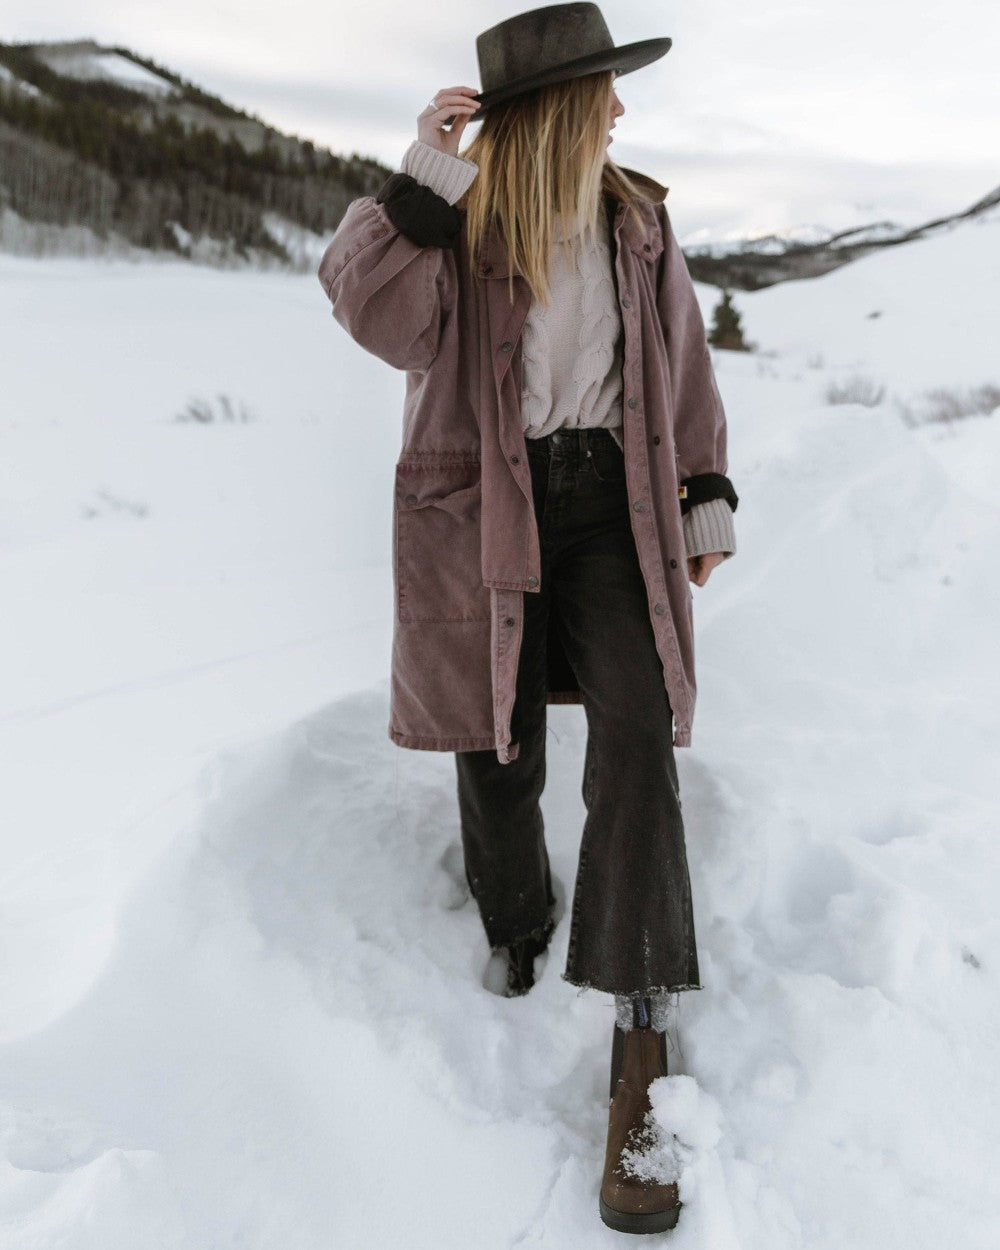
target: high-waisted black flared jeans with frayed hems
632 927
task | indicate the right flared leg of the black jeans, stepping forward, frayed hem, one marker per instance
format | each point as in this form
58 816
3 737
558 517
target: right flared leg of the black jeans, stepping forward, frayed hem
633 924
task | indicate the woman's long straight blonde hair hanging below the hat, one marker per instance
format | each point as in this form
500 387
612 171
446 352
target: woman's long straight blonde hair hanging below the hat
543 164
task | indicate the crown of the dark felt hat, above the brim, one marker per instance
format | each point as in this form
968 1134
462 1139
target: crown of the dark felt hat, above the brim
538 42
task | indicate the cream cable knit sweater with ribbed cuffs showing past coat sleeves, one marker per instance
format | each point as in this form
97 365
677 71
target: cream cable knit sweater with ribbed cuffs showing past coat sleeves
573 349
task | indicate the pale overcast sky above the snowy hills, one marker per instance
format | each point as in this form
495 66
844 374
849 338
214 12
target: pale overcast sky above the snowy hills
761 117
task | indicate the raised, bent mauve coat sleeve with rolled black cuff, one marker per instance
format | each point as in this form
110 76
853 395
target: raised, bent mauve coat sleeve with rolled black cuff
389 272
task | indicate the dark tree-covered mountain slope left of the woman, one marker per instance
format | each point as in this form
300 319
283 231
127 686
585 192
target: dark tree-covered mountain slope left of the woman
104 147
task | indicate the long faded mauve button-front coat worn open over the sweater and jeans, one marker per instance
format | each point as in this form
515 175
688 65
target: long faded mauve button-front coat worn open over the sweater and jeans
466 547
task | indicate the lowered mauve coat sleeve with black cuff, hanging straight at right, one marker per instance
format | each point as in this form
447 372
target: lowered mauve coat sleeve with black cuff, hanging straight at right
699 417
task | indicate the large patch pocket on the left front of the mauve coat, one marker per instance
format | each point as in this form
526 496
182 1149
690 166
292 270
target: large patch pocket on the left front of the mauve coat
438 546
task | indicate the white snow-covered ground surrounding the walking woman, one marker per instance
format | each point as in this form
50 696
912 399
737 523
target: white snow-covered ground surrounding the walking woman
241 978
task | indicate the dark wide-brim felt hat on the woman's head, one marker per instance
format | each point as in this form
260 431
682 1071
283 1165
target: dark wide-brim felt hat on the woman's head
551 46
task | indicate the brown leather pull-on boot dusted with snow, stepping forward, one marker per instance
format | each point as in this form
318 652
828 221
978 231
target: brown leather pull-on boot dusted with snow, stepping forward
634 1199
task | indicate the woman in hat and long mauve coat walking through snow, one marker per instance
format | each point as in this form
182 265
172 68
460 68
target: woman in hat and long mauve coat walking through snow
562 479
